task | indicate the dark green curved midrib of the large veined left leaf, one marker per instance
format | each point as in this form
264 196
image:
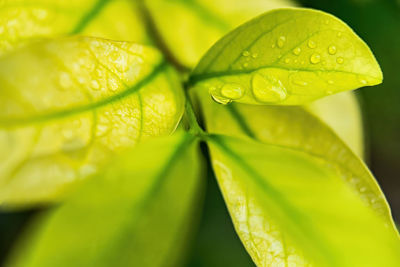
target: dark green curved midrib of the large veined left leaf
18 122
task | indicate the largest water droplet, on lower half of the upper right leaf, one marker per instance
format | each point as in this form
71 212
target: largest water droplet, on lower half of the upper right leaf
267 90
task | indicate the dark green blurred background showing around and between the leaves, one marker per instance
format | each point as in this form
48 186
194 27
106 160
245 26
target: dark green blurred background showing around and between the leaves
378 23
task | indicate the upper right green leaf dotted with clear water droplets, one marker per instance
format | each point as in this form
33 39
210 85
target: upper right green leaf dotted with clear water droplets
286 57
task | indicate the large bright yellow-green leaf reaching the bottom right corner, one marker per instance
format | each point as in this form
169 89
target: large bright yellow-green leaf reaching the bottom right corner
290 209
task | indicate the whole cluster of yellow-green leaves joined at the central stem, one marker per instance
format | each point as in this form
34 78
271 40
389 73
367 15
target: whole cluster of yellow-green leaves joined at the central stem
86 86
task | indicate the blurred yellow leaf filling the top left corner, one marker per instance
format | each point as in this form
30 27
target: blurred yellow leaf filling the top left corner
24 21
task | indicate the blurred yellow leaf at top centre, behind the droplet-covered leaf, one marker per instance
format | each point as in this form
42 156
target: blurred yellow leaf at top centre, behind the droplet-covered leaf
197 24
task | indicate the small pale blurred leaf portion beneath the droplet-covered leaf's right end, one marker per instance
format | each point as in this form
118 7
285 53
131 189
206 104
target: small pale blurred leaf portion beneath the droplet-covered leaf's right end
342 113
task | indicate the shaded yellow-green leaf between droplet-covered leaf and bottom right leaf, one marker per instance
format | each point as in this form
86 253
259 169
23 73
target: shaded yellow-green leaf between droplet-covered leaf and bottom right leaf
295 128
